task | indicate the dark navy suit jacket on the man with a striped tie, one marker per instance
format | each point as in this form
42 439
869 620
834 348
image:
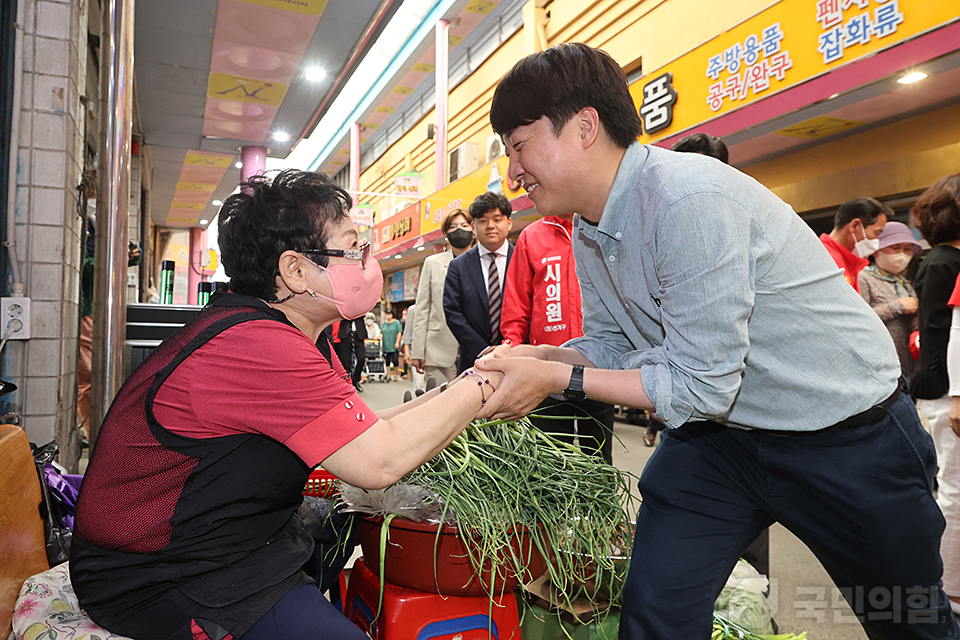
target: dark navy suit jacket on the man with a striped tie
466 306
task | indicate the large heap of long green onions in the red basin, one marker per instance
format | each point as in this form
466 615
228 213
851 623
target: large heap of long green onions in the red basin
501 477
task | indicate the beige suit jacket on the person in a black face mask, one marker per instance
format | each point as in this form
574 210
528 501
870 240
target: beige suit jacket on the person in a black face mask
431 339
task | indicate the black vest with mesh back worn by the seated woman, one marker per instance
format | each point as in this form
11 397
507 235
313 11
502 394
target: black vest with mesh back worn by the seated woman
171 528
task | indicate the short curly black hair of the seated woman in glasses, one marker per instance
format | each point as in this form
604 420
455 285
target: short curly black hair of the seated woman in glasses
267 217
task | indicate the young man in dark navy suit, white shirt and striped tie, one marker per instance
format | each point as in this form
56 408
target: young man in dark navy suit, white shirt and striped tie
473 291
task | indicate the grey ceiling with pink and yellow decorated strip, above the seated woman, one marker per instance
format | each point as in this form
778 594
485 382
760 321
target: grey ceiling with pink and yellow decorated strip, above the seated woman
175 60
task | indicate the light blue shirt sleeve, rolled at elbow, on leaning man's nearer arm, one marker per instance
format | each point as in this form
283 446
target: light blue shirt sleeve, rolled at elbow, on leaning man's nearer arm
706 276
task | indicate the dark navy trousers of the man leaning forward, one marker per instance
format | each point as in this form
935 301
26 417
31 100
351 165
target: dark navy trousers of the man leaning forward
859 497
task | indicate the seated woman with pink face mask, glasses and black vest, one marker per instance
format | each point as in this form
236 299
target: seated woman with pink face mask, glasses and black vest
186 525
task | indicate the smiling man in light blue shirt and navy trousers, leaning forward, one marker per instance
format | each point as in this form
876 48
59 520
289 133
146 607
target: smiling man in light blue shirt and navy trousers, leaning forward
709 301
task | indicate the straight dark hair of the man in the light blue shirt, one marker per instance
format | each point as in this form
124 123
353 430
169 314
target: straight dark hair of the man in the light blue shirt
559 82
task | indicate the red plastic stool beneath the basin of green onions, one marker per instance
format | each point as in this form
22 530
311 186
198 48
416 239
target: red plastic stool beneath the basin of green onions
416 615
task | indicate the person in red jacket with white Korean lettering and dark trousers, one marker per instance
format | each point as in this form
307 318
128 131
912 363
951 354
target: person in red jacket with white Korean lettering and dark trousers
541 305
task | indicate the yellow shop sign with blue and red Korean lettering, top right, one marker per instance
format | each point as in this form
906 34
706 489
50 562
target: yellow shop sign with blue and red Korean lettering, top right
789 43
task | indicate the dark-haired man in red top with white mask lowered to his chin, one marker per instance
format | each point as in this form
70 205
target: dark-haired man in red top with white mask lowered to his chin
855 236
